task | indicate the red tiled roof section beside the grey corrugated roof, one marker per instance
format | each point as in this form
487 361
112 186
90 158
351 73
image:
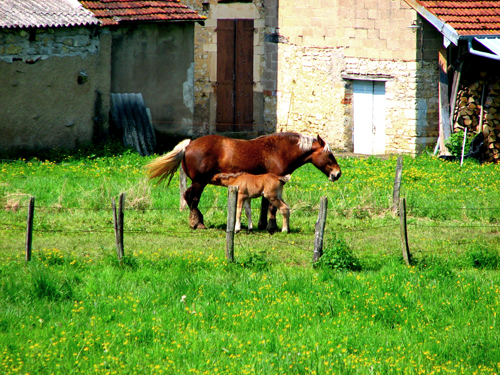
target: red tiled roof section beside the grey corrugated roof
112 12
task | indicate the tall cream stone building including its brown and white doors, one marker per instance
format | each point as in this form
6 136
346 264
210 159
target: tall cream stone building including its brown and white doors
362 73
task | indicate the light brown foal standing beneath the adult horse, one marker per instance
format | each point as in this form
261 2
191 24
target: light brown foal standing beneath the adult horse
251 186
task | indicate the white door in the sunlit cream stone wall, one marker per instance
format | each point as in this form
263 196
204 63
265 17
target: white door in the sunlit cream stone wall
369 117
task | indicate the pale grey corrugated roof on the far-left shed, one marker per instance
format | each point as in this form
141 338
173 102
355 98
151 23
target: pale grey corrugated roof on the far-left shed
44 13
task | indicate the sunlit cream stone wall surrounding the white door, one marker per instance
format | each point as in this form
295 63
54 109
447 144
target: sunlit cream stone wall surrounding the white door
325 44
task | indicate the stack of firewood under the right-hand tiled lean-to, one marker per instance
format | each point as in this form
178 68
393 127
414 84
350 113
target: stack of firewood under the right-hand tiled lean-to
477 108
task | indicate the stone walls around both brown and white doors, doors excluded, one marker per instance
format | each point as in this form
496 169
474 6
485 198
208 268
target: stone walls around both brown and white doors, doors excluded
309 53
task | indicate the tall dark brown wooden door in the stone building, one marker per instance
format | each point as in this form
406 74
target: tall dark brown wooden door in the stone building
234 75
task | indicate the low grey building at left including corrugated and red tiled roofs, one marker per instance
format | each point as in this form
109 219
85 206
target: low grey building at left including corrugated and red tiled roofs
60 62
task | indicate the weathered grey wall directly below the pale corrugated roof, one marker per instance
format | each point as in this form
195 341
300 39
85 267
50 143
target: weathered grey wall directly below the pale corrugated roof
54 89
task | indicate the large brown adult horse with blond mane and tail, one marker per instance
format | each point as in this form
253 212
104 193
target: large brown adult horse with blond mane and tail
203 158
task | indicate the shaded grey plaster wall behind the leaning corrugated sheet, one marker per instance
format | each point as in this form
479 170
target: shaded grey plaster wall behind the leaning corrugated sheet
157 60
